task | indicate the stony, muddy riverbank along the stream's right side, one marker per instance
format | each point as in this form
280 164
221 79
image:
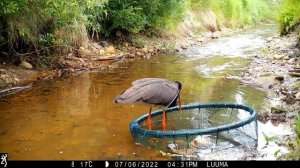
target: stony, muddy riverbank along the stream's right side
276 71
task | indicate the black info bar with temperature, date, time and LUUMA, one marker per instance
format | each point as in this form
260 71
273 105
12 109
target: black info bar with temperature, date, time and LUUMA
146 164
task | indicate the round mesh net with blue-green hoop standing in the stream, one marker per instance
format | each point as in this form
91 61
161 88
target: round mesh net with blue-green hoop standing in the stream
200 130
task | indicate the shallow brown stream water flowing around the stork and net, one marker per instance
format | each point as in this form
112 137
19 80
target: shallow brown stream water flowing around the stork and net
75 118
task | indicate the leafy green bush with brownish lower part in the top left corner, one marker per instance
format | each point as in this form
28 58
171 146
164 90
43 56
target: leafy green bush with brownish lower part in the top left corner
42 23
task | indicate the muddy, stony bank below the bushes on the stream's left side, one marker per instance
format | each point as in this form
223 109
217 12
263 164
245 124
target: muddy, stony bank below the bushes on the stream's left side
98 57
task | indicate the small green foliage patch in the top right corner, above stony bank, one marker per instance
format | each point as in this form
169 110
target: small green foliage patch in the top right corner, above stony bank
289 15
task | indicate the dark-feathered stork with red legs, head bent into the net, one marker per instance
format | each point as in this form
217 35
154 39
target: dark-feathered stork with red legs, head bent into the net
153 91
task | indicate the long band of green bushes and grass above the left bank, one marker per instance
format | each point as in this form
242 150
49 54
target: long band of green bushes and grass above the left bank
36 25
